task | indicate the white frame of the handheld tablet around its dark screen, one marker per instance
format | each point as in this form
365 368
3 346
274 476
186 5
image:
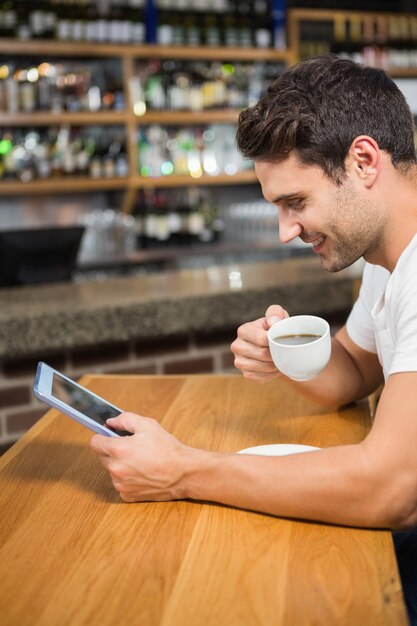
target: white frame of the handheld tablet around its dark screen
76 401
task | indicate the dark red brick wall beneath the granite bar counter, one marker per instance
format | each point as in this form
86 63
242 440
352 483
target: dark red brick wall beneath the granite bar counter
194 354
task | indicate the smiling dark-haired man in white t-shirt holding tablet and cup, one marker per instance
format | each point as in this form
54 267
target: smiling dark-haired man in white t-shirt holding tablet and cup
333 148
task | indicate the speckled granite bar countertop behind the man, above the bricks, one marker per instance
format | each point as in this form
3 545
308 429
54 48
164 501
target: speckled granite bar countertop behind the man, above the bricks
67 315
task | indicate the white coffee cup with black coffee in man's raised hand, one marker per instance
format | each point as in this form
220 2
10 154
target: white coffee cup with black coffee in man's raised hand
305 360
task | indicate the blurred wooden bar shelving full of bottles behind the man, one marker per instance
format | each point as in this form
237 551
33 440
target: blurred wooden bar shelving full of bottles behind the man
120 114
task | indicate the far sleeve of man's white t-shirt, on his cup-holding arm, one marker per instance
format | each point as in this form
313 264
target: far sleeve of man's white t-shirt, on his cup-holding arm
359 325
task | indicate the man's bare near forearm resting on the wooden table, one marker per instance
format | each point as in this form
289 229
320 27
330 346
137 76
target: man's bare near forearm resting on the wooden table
334 485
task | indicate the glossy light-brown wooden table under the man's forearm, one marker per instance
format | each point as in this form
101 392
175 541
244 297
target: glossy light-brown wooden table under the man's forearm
72 553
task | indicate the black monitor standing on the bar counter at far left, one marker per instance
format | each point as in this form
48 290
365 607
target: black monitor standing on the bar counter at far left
38 255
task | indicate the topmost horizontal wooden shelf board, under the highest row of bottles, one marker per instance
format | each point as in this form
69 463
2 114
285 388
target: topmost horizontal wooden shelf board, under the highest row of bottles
81 49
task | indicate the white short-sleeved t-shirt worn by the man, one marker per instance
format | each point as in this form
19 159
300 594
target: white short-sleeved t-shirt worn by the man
384 318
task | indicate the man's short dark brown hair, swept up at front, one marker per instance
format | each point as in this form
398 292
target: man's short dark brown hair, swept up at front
316 109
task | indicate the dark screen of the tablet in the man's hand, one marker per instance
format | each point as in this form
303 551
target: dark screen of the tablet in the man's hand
82 401
